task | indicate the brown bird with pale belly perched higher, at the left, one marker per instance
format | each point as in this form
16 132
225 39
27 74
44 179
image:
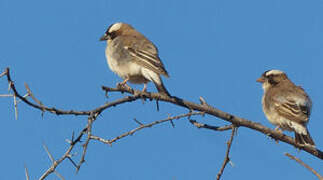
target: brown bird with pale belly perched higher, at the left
133 57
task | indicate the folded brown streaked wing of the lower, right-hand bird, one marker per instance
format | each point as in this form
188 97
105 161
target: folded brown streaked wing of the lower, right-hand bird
293 107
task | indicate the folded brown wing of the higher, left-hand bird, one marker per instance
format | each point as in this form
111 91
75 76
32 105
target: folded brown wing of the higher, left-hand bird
145 54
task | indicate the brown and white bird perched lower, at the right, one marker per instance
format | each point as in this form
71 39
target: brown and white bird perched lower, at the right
286 105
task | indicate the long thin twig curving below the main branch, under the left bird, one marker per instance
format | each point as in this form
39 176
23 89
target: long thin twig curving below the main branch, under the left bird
109 142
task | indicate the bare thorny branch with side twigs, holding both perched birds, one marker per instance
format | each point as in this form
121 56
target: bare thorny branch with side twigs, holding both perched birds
202 108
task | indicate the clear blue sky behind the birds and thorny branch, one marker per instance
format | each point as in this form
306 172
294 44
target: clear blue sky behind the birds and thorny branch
215 49
